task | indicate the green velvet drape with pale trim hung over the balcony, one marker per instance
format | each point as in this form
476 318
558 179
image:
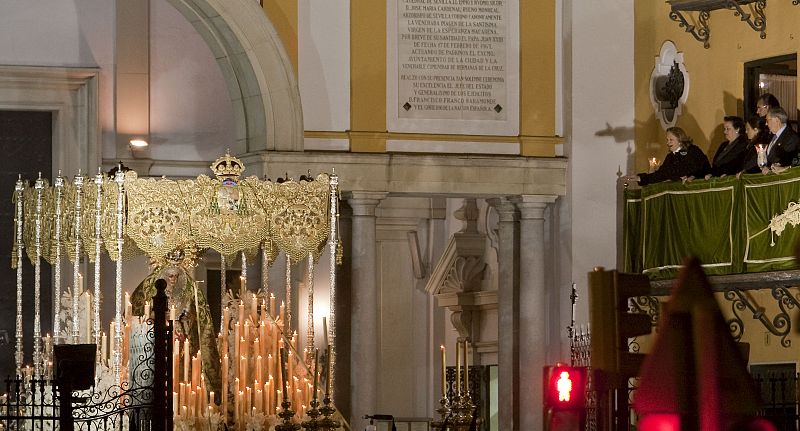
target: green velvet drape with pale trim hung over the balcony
732 225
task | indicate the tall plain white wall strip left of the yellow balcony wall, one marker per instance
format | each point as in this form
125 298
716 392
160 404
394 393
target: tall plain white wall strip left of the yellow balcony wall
599 117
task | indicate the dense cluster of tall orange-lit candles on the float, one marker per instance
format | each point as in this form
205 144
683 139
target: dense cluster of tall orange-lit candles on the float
255 339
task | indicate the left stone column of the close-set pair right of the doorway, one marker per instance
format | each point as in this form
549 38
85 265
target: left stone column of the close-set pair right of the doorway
508 392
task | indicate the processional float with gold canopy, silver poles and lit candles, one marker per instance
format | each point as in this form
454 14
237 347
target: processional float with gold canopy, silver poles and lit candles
264 374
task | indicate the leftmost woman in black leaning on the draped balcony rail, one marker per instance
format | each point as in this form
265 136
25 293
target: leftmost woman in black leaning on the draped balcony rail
683 161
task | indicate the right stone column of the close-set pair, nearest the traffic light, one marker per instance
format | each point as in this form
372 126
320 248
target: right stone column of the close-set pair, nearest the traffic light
532 307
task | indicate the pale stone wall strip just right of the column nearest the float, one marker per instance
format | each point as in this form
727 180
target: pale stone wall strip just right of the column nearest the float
406 355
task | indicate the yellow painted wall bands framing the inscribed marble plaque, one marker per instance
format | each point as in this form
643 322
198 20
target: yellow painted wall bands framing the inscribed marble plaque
368 76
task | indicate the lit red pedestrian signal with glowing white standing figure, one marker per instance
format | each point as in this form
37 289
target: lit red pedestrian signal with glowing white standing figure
565 387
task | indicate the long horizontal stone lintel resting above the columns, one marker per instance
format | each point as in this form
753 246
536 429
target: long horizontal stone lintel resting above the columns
422 175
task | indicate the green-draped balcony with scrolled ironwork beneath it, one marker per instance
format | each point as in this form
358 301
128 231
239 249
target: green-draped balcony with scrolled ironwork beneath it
744 231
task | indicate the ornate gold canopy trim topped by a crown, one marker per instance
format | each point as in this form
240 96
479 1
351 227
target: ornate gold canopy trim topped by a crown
226 214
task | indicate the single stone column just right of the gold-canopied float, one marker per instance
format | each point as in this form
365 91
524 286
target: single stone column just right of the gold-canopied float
364 347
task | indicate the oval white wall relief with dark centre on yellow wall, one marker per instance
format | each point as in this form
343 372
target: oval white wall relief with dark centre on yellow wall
669 85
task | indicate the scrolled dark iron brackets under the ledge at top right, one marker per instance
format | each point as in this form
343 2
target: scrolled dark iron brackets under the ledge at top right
754 16
